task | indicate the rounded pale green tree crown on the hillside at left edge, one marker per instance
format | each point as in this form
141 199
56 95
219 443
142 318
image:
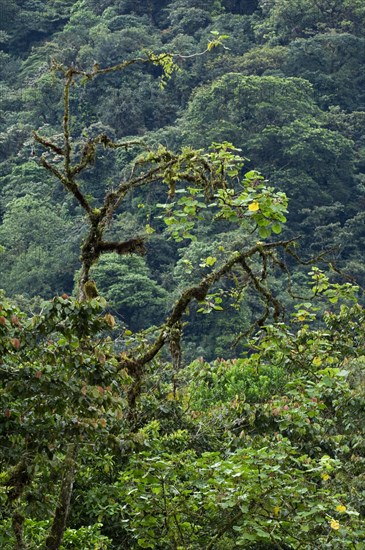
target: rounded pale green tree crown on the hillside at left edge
40 248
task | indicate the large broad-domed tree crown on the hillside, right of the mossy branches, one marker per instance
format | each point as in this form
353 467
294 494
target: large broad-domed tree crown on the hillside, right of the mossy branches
279 126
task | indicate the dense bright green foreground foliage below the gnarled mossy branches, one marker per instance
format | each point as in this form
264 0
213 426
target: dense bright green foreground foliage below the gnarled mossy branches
265 451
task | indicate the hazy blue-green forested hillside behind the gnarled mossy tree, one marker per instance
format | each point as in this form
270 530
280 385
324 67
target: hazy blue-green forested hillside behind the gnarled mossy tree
289 92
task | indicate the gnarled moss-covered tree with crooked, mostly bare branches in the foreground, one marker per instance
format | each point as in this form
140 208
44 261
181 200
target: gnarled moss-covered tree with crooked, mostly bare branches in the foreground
194 174
